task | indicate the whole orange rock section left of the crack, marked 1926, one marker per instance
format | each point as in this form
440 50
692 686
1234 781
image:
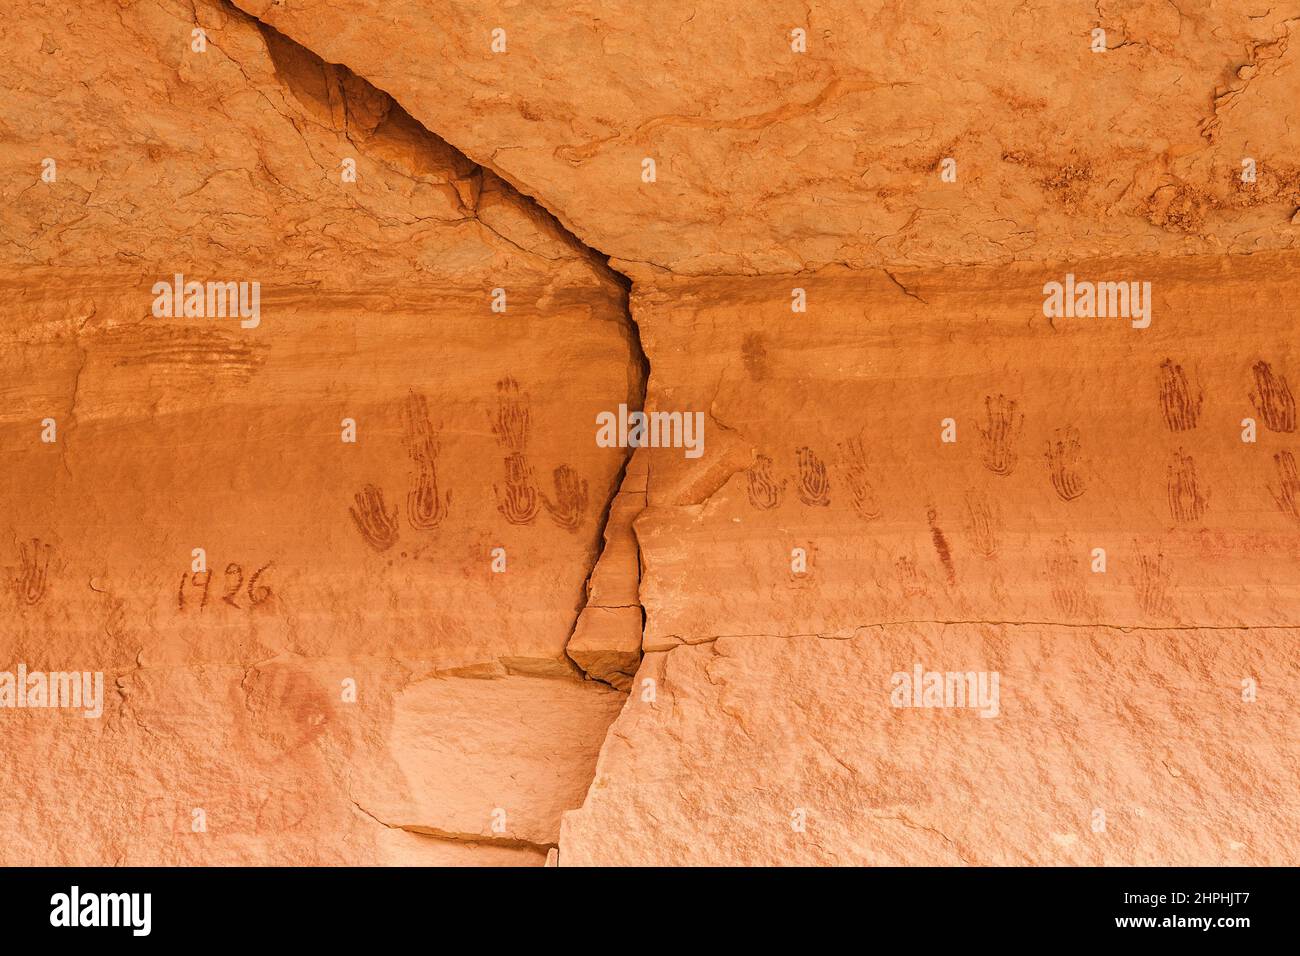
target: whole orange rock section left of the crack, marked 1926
328 563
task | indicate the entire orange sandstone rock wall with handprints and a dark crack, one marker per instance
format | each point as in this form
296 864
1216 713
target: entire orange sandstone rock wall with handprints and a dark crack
907 464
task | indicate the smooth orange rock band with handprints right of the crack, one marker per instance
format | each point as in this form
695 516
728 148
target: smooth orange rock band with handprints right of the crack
939 451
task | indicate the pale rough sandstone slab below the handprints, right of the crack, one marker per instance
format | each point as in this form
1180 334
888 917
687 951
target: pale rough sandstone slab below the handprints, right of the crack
1142 734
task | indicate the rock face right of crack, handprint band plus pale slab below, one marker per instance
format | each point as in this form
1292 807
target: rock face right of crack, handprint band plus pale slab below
924 474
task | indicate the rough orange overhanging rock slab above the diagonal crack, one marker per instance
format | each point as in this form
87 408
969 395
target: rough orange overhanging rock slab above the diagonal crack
772 161
